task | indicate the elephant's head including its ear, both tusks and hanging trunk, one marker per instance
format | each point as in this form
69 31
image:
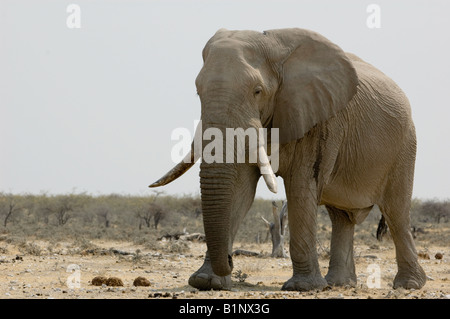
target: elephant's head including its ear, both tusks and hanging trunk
290 79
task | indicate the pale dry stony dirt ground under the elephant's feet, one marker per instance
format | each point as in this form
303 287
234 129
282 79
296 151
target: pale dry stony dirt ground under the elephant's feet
65 272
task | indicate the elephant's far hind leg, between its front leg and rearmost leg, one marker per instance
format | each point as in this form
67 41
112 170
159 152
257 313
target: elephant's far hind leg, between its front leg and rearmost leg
341 270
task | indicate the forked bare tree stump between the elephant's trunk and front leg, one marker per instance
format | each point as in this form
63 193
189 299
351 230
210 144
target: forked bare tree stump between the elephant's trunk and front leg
277 229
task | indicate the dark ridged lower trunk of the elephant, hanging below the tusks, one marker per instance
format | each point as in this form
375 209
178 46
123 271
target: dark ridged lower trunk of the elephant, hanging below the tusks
217 184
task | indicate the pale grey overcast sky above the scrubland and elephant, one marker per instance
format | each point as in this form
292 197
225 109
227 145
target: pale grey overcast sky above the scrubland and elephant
93 108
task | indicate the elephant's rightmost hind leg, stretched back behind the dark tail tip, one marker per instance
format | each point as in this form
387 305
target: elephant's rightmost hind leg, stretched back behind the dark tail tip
395 208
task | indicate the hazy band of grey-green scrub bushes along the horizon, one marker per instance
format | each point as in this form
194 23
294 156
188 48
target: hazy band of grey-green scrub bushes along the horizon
114 217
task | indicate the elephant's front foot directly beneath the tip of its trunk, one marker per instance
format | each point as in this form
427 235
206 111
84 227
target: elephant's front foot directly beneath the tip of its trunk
205 279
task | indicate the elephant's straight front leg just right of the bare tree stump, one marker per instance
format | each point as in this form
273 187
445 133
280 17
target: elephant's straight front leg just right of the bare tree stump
302 226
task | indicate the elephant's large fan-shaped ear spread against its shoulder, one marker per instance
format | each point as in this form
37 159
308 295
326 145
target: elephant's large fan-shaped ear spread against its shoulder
317 81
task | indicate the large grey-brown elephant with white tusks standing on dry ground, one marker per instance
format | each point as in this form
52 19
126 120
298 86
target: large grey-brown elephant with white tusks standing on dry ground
346 140
